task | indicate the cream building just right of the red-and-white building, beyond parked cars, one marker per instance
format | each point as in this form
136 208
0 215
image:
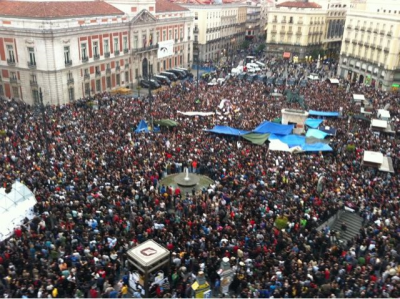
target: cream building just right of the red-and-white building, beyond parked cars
219 30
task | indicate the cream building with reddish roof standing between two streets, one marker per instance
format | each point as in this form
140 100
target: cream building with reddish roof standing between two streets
297 27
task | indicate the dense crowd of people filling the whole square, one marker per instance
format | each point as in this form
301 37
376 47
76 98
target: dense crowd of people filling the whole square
98 191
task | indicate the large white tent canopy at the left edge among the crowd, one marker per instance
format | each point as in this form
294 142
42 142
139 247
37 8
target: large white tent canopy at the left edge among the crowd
14 208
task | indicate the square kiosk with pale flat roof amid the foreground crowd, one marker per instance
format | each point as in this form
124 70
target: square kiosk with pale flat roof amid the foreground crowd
147 259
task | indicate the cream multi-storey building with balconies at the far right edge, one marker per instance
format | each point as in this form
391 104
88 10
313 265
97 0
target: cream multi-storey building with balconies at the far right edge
371 45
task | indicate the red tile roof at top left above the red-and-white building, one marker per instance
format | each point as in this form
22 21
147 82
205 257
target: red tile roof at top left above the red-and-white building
58 9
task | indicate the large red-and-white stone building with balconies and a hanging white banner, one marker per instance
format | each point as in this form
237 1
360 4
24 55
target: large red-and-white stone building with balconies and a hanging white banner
73 49
